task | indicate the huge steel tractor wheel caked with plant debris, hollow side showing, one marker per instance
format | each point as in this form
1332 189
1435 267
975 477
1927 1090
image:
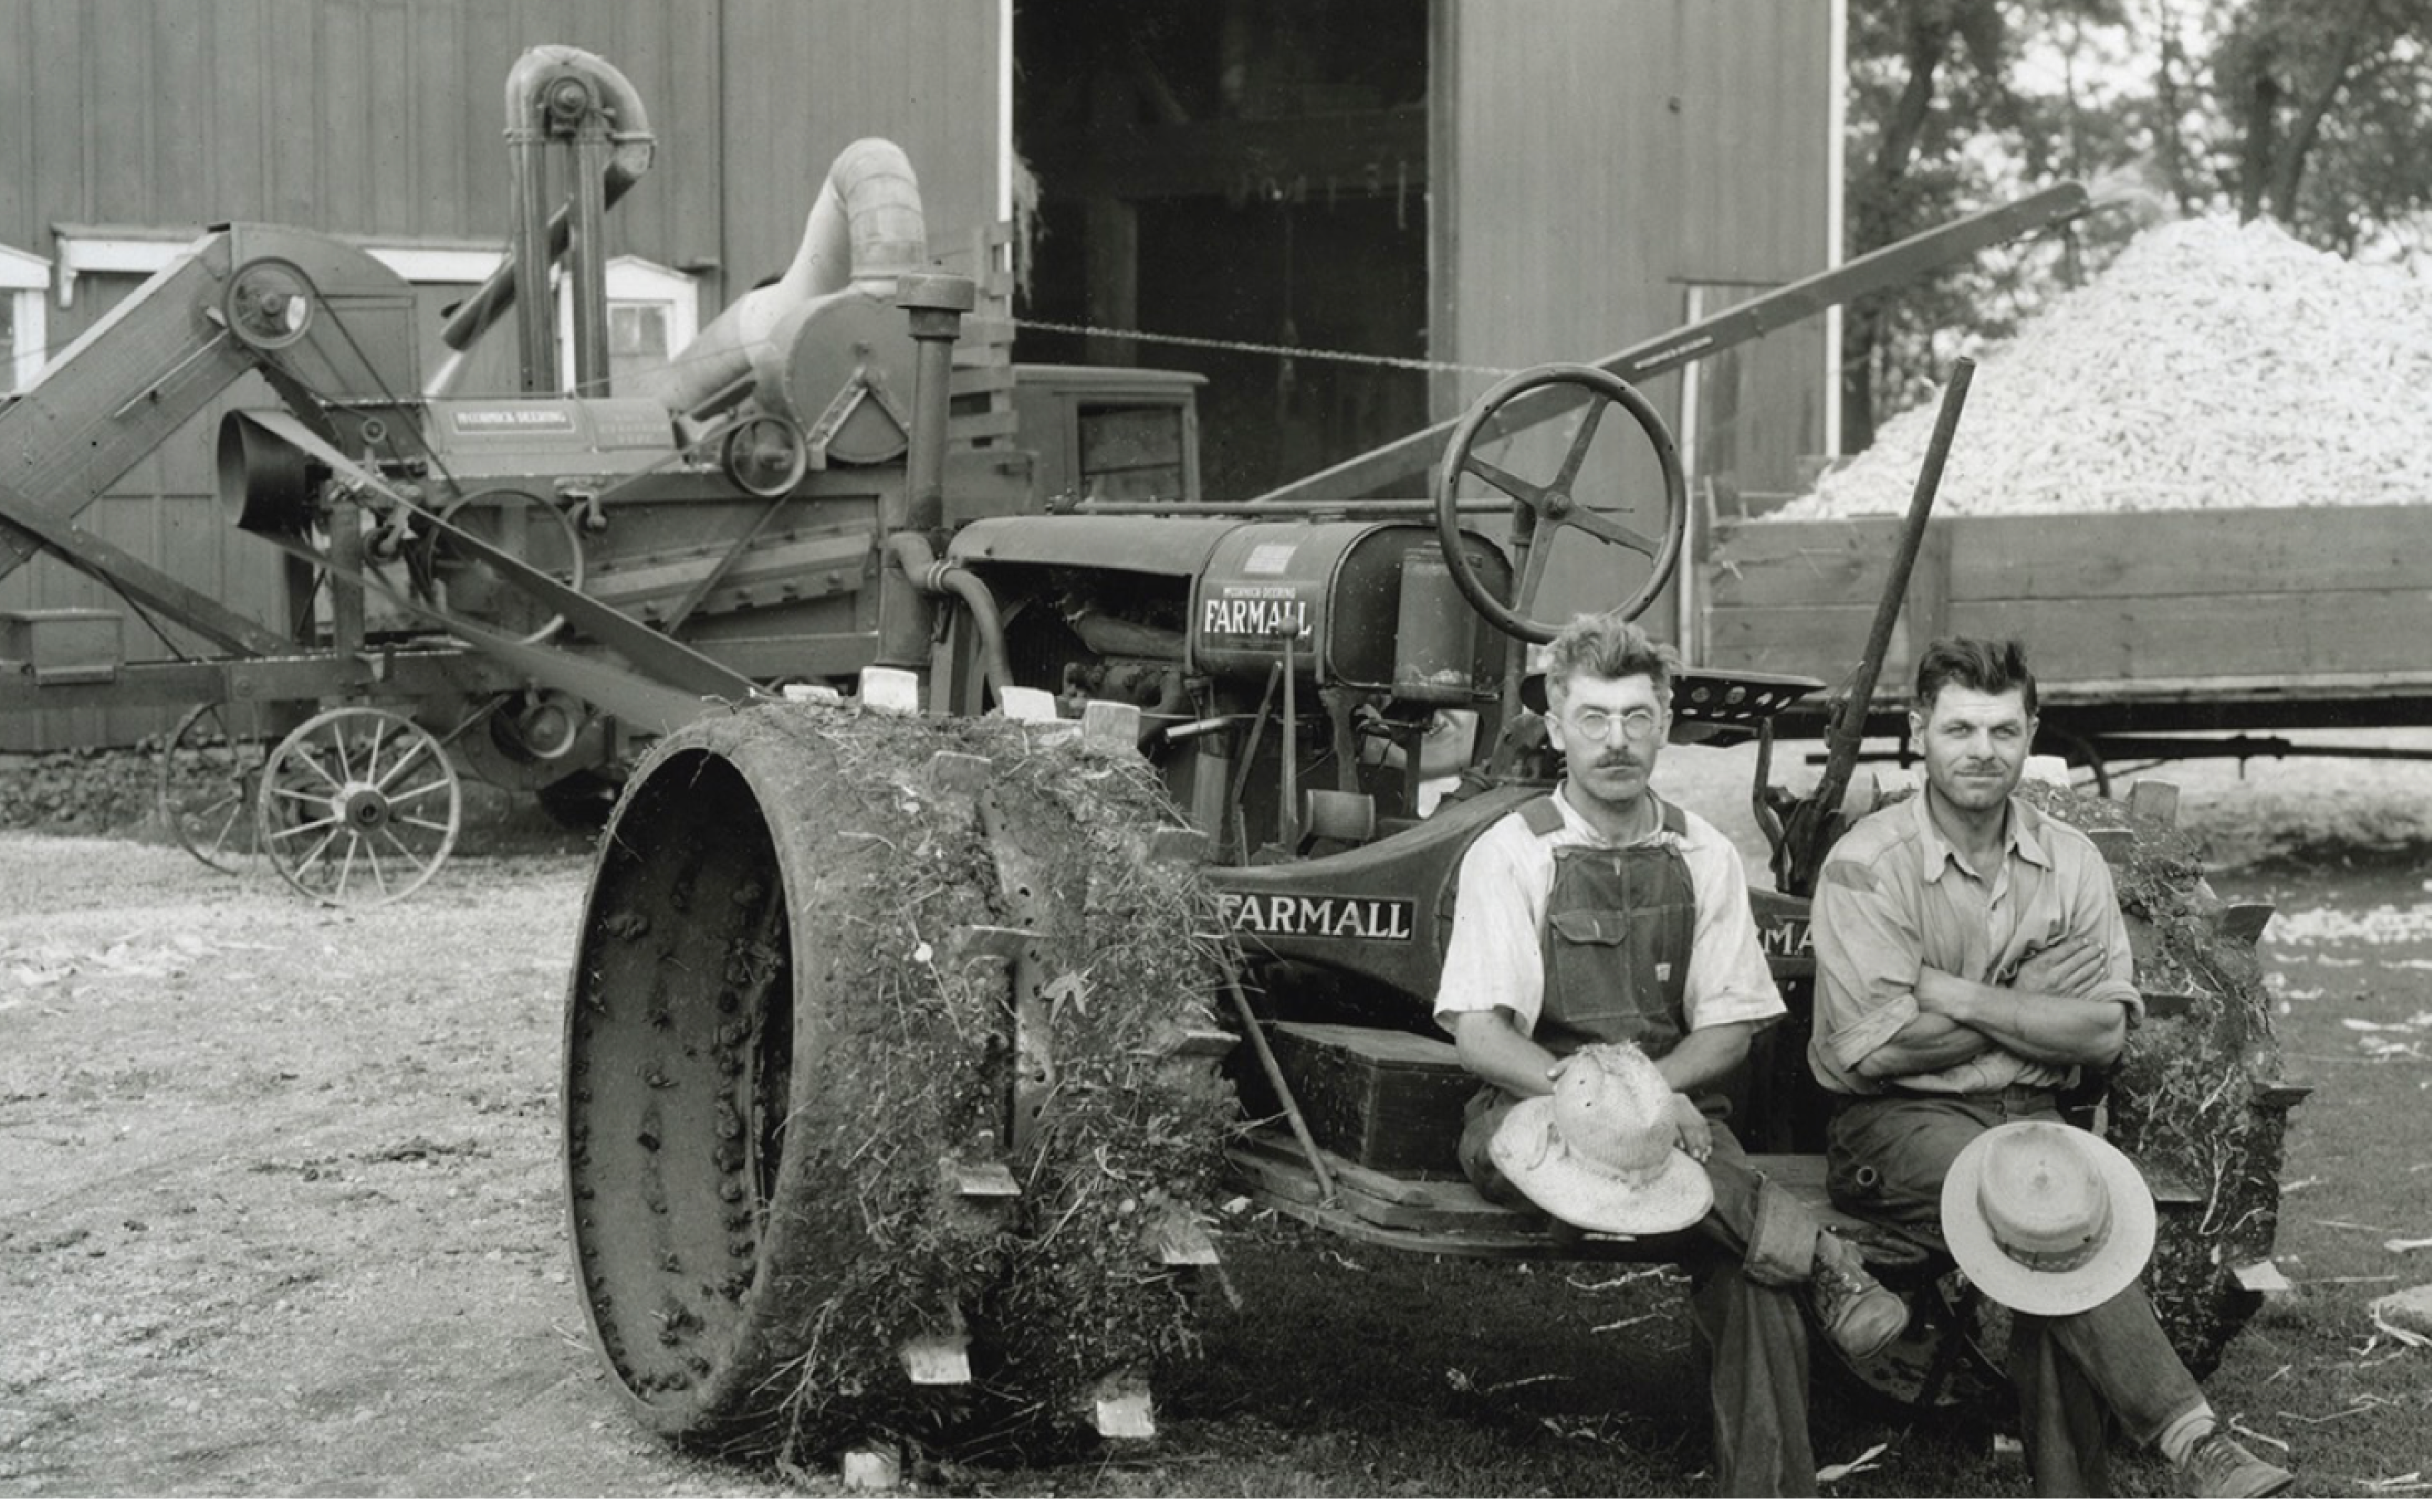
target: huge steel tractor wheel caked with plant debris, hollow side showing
886 1084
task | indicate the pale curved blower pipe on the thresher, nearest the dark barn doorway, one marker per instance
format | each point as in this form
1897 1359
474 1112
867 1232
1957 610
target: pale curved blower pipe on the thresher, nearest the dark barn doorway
865 232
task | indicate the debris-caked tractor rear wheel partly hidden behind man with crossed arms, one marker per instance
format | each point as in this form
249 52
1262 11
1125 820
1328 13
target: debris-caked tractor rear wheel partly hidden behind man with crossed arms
2197 1101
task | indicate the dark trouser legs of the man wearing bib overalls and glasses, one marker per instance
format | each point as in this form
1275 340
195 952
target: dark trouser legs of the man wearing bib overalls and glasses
1745 1310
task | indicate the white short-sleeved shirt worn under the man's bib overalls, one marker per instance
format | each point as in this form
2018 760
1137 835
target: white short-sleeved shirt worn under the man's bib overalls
1497 950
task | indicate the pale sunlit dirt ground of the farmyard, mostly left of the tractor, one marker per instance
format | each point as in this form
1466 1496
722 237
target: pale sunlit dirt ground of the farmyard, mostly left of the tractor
278 1186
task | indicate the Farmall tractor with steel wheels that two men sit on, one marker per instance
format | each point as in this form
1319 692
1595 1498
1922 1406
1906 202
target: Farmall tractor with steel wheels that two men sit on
911 1052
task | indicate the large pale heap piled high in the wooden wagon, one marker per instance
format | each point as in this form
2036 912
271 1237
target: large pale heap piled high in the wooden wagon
2209 366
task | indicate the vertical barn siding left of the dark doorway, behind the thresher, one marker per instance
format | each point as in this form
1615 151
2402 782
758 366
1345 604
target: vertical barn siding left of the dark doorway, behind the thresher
385 118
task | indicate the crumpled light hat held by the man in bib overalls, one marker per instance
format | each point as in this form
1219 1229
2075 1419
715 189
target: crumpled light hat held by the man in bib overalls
1599 1152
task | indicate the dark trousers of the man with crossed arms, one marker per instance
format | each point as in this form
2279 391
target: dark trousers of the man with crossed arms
2078 1376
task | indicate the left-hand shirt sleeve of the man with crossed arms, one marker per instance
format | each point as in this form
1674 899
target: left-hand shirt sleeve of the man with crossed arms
1869 955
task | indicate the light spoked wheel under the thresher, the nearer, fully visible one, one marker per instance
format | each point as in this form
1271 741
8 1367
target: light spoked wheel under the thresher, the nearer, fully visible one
359 807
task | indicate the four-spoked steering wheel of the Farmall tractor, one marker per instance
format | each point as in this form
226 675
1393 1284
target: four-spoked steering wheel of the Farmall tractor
1543 510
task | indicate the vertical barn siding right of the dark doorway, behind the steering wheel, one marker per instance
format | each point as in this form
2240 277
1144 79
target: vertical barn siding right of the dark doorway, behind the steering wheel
1592 184
